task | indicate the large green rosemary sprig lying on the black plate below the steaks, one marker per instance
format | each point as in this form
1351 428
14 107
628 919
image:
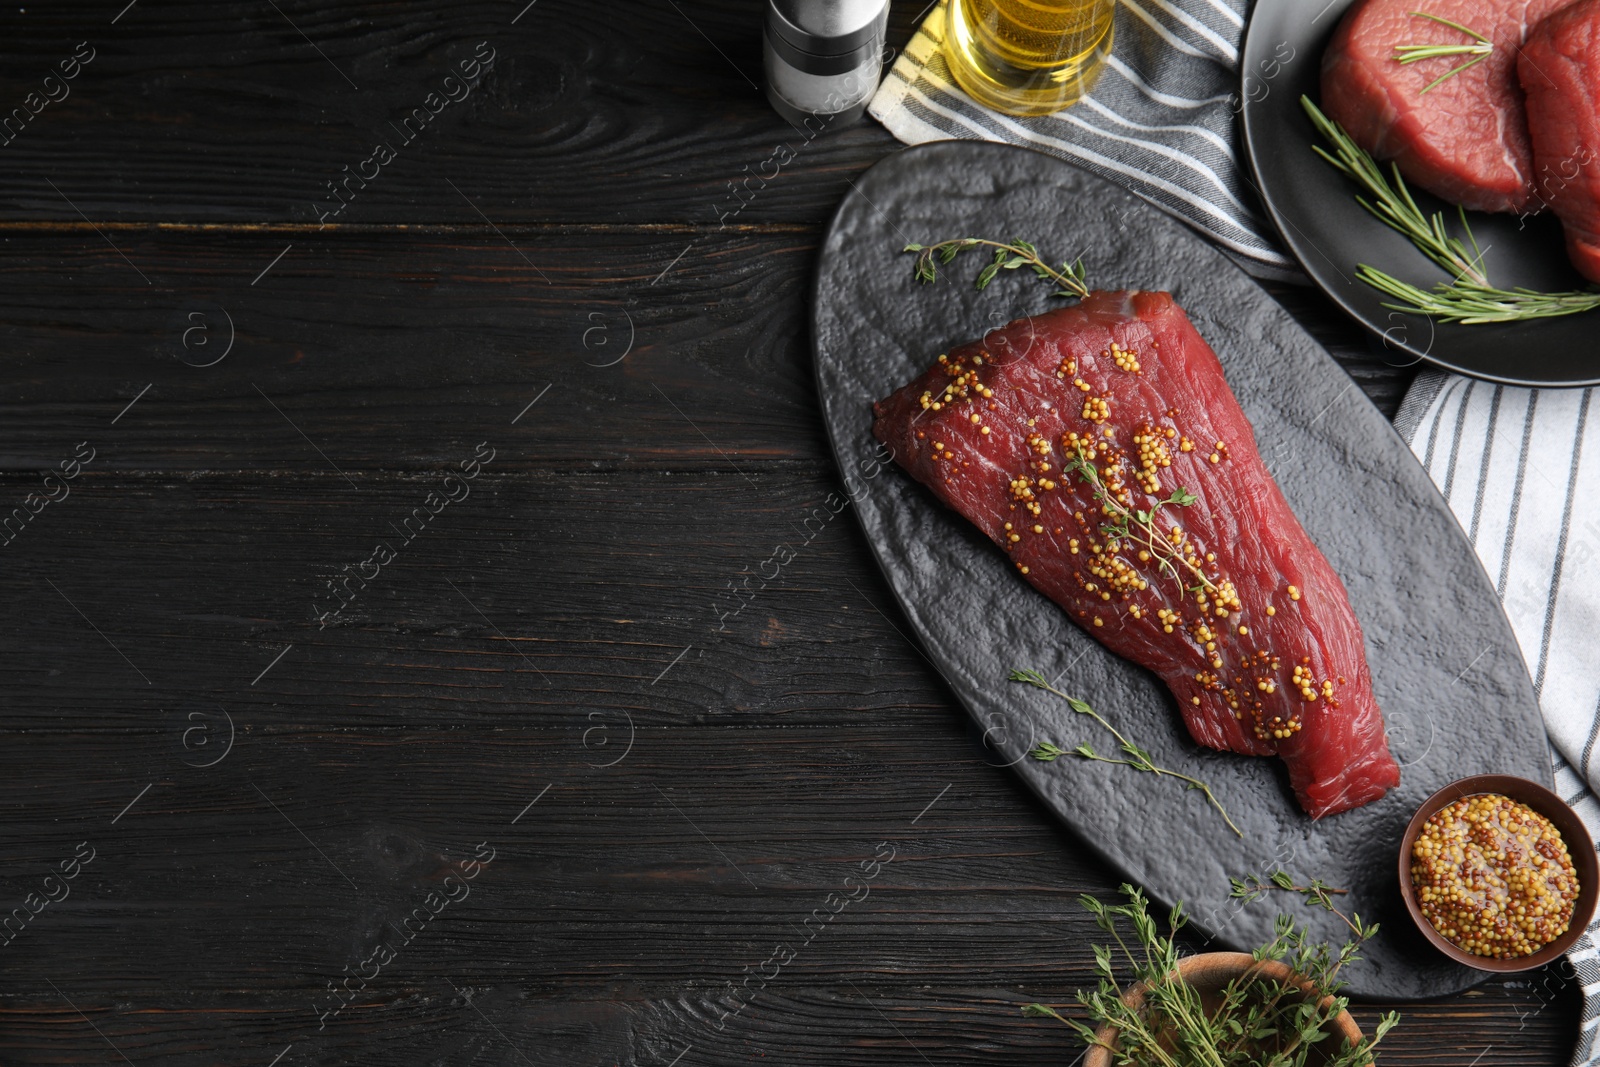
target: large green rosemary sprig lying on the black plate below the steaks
1470 297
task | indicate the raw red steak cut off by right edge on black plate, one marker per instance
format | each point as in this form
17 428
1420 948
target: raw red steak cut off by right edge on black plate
1561 73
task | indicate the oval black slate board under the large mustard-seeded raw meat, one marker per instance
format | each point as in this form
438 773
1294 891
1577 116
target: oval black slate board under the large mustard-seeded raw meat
1446 666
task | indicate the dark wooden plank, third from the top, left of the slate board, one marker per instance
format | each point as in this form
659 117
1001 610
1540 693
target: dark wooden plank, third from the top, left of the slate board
534 596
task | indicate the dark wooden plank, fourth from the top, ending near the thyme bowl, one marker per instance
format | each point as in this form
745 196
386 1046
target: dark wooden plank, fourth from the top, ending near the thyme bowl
306 850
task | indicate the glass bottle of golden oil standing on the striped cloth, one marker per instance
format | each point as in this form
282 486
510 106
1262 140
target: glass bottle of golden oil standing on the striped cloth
1028 57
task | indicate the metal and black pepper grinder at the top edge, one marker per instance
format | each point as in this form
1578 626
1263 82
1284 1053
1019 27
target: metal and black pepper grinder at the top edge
823 60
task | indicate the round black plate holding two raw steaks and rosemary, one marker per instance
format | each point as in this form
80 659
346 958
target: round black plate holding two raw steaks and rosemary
1316 212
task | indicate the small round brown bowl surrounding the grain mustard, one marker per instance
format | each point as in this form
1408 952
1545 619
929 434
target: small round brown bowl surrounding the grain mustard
1553 809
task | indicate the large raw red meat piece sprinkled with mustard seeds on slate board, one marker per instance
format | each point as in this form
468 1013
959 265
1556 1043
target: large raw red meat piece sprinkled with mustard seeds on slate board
1225 596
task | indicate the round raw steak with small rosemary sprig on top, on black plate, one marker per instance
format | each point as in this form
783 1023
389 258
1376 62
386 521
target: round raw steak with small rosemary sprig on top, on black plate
1466 140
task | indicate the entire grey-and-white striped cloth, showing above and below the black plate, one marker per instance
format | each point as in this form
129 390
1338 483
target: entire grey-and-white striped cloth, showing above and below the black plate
1521 468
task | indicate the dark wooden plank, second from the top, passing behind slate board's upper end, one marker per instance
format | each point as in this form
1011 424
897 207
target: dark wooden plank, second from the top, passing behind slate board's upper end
658 348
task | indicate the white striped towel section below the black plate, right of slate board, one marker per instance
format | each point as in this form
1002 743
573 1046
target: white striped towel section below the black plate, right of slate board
1521 468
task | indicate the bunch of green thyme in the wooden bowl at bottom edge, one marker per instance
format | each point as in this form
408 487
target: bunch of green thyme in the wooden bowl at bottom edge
1260 1023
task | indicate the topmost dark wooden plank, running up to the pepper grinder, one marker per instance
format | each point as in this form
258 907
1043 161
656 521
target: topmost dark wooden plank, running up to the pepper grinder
246 113
